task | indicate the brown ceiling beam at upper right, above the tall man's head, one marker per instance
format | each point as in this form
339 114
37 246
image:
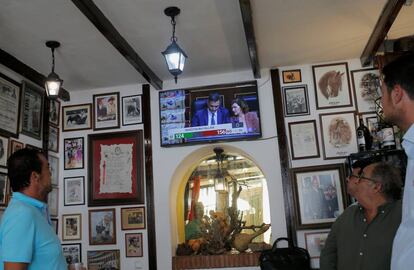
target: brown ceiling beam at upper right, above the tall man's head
383 25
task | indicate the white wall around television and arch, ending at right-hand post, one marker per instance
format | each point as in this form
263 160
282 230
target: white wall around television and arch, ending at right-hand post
170 165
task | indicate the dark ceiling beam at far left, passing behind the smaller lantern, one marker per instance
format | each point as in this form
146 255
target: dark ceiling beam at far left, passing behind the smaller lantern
21 68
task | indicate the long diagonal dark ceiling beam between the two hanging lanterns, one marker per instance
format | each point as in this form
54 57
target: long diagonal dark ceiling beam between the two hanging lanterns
95 16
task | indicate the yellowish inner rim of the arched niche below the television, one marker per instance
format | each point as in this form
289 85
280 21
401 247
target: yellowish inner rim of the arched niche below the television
179 181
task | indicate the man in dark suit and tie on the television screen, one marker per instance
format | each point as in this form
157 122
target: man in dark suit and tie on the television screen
212 114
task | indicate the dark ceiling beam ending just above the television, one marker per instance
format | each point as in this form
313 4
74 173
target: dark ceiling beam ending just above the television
246 12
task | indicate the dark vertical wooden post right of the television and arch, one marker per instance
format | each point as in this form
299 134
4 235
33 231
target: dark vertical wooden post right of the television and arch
283 155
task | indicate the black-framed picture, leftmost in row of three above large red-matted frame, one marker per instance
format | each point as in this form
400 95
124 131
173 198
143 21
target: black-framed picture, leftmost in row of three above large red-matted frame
77 117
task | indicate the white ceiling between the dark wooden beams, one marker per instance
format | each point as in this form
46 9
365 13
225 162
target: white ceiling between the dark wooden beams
288 32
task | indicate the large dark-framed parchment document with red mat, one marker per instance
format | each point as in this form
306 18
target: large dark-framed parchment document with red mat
115 168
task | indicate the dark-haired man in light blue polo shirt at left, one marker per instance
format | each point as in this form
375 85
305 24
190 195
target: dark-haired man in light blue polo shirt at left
27 239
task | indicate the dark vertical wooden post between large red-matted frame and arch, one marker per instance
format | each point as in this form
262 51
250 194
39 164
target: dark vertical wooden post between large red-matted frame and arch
149 178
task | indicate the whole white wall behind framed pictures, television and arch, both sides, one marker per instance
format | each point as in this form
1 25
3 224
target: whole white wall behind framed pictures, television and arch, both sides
173 165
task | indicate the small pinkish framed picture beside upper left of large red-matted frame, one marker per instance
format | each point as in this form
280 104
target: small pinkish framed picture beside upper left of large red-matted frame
74 153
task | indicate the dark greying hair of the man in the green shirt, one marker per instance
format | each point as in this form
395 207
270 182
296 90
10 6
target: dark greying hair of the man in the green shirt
390 178
